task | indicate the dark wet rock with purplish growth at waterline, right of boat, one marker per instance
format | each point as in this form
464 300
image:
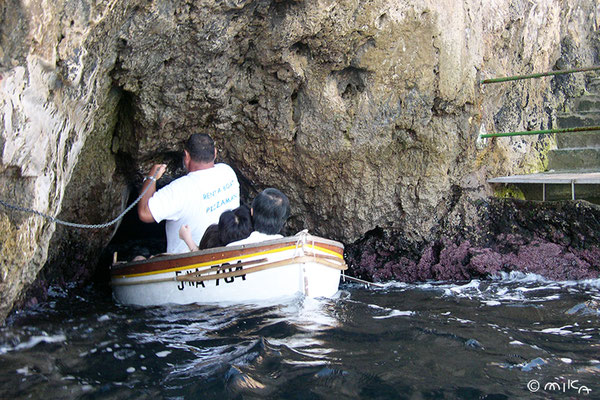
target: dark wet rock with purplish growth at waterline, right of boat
558 240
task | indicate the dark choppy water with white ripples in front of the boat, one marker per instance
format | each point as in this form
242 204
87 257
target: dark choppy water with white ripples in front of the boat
514 337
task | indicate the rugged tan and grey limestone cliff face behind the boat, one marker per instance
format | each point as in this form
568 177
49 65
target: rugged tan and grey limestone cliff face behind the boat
365 113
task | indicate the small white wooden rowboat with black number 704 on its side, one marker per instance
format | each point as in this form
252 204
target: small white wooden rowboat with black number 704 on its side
296 265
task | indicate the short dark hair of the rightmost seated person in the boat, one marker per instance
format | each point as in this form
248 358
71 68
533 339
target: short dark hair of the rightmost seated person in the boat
271 209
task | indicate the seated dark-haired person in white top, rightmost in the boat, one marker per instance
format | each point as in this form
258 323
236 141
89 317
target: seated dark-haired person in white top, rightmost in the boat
270 209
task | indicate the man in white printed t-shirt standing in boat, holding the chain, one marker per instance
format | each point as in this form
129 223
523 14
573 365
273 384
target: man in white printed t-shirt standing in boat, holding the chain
196 199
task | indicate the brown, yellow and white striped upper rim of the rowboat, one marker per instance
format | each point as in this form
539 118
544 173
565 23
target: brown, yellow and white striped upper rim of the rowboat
183 260
